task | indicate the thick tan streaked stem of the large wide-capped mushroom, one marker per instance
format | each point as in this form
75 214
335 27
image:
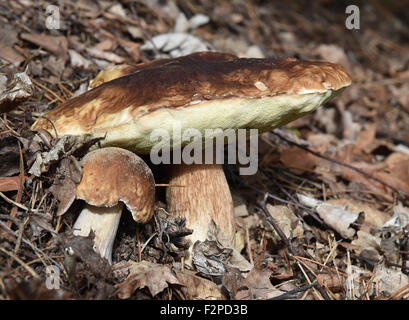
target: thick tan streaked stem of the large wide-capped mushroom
200 192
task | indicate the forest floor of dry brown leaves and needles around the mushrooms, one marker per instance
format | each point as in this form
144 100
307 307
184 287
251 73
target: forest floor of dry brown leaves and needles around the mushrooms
325 217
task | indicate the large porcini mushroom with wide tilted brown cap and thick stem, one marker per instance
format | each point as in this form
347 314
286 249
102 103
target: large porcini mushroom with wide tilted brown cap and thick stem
205 90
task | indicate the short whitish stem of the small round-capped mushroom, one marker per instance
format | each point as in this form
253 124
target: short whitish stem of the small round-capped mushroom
104 222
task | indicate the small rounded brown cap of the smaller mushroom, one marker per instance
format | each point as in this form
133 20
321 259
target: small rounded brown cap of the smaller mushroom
110 175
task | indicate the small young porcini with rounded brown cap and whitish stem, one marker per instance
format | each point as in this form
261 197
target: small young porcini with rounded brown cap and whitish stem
112 177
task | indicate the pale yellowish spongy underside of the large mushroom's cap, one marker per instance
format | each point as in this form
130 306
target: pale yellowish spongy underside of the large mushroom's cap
133 128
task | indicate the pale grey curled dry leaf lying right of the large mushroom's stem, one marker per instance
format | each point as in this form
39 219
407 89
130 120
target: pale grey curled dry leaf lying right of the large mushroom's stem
335 216
